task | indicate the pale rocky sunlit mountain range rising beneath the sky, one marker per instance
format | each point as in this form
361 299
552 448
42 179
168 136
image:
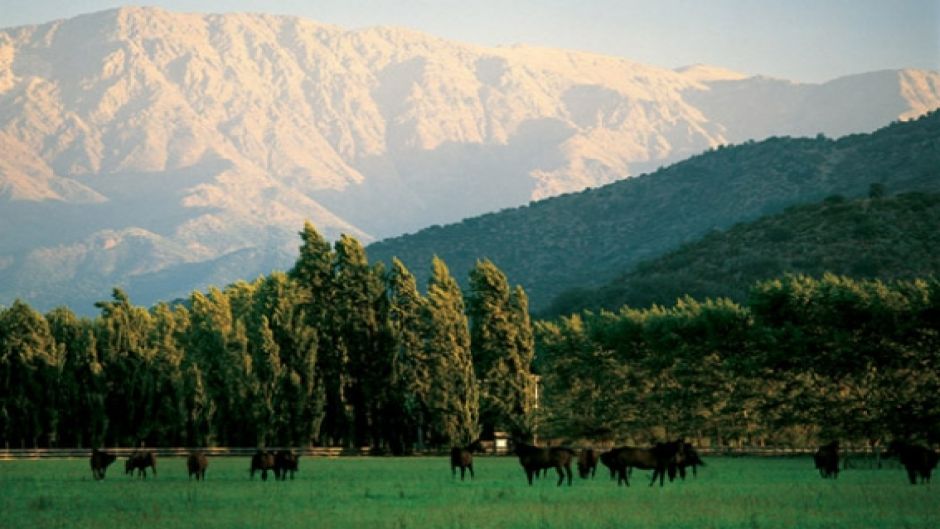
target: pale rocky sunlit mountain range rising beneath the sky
215 135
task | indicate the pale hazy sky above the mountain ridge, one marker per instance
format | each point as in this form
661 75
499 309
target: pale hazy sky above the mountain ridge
804 40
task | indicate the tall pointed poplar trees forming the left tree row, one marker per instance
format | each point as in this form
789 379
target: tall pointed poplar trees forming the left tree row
336 352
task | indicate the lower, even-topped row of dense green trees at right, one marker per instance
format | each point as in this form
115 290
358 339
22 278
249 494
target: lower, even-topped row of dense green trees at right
806 360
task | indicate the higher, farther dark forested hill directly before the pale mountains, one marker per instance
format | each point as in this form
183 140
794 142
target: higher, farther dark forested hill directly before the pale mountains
587 239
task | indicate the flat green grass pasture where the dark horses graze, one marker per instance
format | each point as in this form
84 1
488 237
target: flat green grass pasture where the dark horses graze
419 493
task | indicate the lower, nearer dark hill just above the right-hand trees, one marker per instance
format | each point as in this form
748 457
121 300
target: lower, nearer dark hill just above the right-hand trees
872 238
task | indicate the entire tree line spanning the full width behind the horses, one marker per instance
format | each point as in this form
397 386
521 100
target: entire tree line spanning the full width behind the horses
339 351
